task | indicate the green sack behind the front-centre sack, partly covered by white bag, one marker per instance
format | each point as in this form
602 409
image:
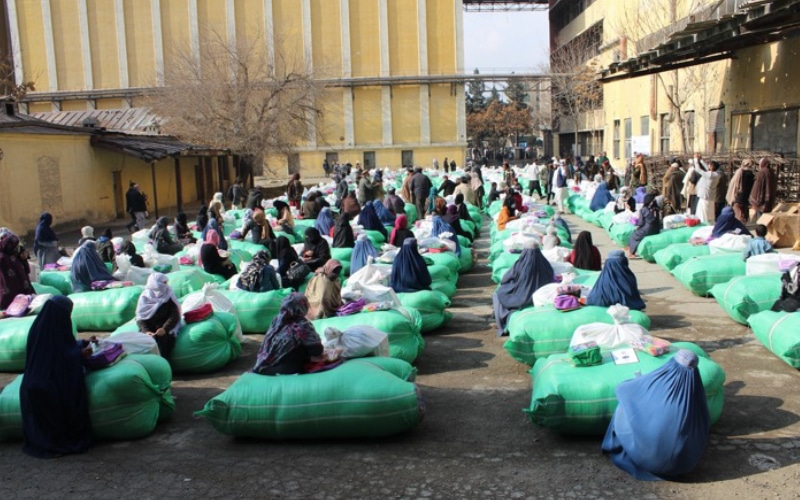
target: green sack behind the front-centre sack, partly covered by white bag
403 326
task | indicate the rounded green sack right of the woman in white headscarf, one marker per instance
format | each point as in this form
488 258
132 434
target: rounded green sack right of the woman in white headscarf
202 347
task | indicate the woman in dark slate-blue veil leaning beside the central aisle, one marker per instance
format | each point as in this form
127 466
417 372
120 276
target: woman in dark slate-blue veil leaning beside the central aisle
528 274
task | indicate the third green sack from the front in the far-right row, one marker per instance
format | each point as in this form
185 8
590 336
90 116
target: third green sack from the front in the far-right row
700 274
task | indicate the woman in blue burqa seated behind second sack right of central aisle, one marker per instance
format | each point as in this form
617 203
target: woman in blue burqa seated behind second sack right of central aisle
616 284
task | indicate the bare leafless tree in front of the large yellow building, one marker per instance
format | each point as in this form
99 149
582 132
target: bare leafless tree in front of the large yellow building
234 95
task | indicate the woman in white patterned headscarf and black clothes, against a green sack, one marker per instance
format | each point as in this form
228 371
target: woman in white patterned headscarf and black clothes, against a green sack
158 313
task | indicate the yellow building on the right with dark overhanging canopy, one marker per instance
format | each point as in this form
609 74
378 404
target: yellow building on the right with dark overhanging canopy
745 97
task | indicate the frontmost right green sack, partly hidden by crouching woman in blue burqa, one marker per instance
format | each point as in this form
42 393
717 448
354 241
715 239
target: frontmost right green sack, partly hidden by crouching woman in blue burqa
581 400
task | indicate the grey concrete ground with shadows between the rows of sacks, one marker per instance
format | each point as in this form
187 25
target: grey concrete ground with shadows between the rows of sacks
475 441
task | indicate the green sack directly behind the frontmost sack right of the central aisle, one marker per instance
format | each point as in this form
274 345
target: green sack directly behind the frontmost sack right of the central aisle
538 332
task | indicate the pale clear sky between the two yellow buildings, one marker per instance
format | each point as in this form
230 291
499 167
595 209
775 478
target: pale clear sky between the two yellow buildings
505 40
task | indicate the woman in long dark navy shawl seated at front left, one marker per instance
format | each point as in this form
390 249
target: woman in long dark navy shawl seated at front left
53 398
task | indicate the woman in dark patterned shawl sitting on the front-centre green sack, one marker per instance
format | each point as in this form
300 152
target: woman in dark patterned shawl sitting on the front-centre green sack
291 341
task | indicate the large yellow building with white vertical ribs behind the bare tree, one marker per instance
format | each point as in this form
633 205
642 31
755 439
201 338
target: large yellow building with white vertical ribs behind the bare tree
385 63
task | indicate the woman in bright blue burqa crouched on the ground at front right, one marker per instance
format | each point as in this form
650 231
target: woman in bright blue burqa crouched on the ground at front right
661 425
